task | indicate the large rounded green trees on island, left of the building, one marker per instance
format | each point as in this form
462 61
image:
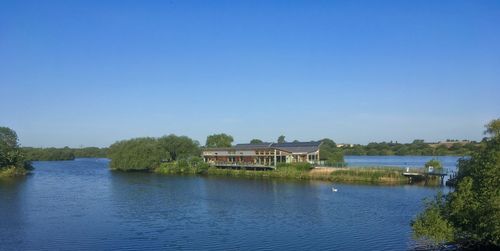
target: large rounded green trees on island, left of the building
146 154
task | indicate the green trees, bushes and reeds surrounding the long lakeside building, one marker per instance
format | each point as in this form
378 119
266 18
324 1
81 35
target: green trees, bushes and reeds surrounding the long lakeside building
180 155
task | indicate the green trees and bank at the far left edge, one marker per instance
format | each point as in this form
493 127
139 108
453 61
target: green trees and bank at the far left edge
12 159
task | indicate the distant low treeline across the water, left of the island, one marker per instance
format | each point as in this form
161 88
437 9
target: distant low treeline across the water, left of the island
66 153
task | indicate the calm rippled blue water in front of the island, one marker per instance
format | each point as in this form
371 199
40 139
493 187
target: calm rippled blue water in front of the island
81 205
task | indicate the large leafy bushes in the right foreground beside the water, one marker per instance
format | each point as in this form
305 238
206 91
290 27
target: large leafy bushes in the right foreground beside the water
470 215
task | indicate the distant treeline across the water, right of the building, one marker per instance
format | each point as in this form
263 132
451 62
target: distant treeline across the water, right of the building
417 147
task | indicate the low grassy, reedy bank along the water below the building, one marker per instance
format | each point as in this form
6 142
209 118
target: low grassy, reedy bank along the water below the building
367 175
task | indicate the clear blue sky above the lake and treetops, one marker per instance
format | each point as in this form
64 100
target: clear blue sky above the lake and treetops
92 72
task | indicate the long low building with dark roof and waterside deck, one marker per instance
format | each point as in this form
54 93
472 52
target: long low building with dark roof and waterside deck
265 154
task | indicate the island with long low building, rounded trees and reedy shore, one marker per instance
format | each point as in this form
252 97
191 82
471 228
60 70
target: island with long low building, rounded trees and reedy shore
314 160
